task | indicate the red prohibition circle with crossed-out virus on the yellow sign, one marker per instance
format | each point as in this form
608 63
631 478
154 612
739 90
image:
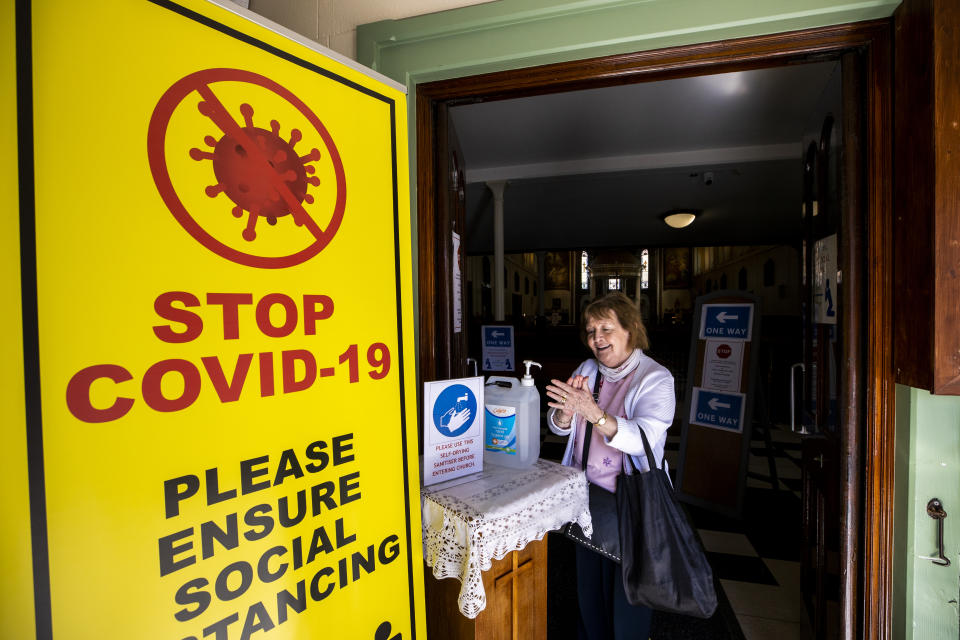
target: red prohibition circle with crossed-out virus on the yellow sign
258 169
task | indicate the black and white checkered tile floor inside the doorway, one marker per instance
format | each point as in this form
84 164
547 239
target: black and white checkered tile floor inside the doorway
757 558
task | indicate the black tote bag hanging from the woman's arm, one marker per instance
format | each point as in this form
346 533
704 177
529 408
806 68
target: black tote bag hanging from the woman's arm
664 566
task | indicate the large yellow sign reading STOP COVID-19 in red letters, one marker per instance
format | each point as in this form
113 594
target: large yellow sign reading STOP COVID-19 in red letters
225 398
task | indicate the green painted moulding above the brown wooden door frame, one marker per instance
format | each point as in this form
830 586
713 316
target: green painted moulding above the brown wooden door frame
520 33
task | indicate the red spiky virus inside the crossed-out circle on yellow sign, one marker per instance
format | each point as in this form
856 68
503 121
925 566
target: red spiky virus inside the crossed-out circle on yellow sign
244 181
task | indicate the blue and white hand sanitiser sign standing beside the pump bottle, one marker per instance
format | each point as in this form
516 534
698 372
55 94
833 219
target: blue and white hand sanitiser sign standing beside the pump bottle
453 429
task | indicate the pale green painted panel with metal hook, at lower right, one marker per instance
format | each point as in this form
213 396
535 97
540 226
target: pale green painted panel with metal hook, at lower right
928 461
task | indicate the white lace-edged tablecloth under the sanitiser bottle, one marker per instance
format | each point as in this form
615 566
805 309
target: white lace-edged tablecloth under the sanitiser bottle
469 523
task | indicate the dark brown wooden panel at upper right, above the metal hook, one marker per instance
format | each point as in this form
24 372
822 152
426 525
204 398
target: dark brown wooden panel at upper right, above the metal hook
926 233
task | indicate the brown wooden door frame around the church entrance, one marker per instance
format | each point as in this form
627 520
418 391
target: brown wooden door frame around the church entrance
867 454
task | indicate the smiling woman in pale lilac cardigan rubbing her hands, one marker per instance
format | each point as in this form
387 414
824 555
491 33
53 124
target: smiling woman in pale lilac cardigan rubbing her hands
634 393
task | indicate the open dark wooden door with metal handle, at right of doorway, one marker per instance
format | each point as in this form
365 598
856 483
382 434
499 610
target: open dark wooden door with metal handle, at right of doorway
831 393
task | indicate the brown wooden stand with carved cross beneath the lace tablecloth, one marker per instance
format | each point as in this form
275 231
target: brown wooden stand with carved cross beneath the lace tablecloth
516 589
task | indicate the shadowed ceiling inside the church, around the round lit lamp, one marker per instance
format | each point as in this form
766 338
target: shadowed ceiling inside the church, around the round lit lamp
596 168
